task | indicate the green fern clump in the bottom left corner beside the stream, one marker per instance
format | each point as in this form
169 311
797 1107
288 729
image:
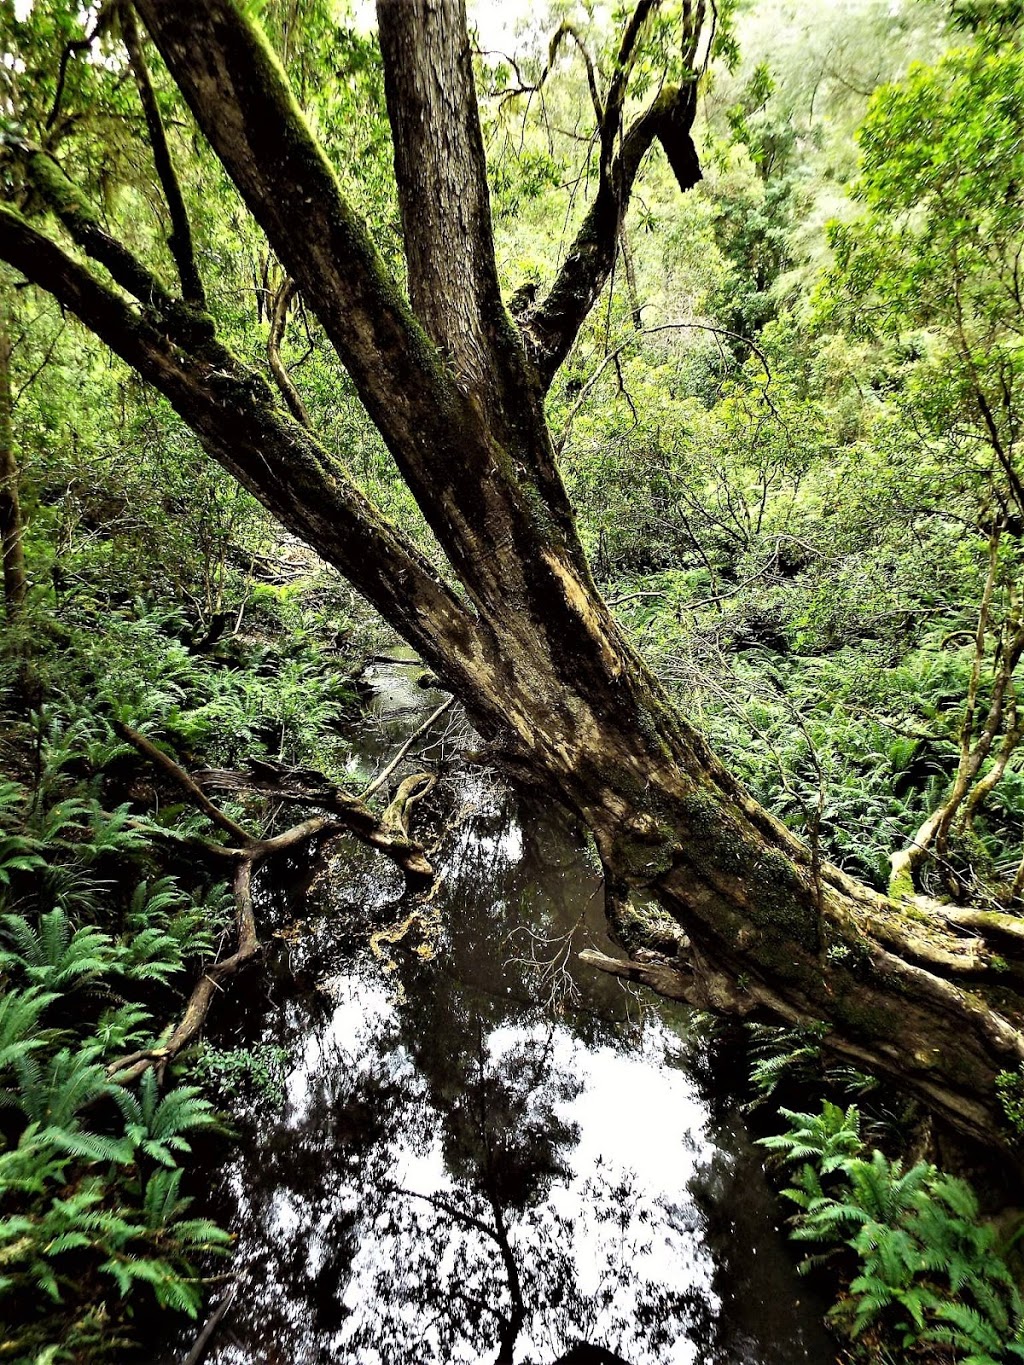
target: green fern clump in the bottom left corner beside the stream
91 1206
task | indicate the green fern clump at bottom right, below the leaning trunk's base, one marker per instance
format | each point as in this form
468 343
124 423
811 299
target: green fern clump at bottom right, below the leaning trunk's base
928 1273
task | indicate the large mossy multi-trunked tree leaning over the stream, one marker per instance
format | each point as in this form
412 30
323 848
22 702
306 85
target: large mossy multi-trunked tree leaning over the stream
457 388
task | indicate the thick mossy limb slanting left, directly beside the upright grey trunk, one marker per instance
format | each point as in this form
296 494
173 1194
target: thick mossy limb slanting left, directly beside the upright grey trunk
241 98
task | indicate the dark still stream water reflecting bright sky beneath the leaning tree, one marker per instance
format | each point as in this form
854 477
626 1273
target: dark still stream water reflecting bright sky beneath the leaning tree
484 1151
